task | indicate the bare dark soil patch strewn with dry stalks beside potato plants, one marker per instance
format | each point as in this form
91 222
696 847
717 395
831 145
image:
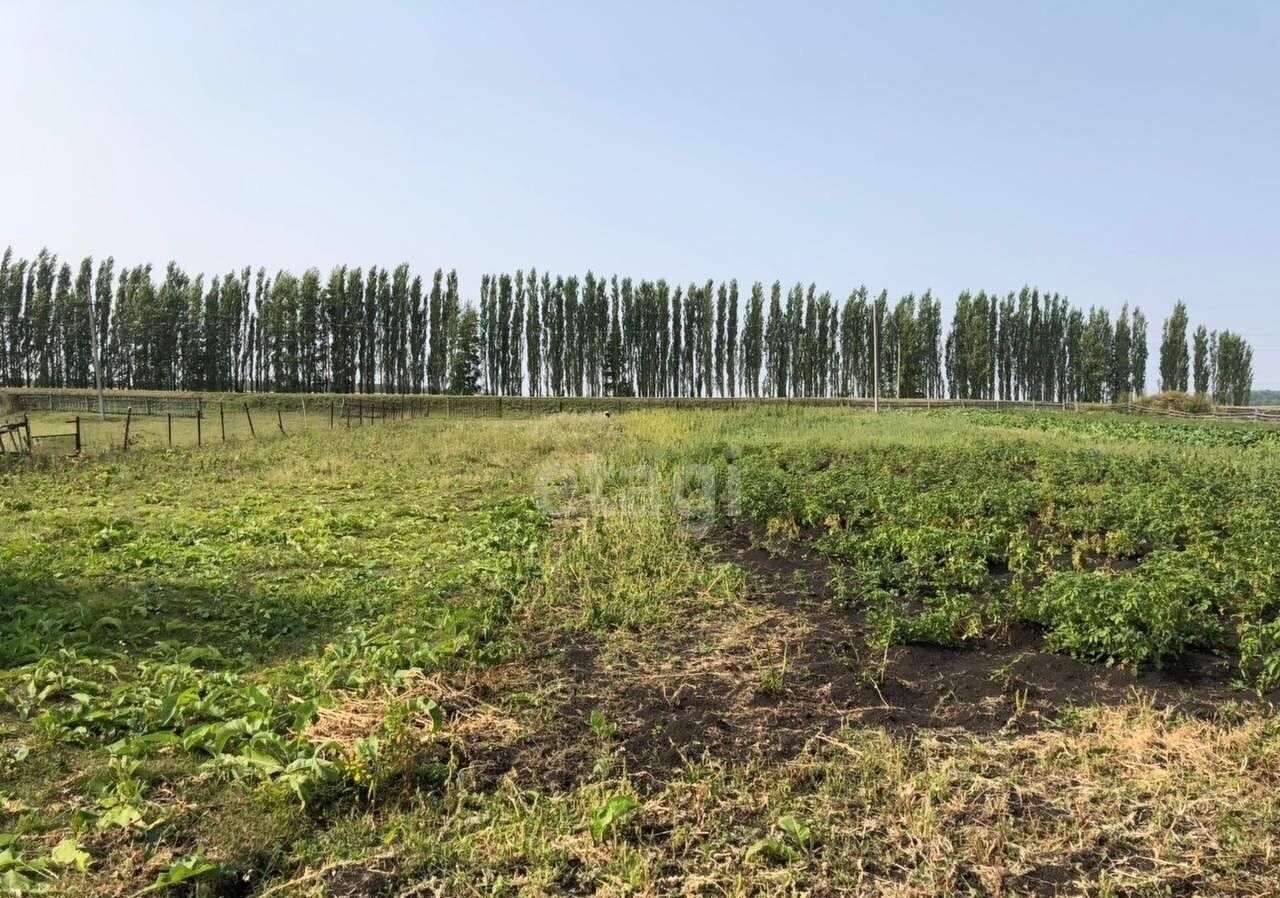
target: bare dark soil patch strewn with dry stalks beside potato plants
794 670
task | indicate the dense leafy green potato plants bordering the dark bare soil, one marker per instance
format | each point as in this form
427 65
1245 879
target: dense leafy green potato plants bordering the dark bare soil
1119 556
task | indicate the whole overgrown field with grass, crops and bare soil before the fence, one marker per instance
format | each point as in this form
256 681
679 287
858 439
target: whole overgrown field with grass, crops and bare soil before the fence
756 653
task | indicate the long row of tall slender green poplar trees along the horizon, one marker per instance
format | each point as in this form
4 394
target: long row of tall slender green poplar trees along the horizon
390 331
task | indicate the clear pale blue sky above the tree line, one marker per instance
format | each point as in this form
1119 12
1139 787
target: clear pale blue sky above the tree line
1110 152
